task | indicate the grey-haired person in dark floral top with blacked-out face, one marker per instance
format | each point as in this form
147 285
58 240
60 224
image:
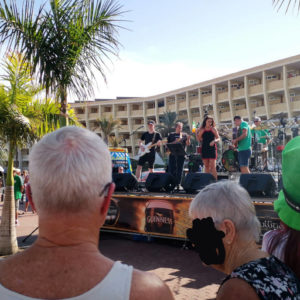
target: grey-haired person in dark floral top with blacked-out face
225 231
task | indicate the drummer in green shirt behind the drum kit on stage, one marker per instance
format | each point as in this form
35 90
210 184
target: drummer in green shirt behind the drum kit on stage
261 136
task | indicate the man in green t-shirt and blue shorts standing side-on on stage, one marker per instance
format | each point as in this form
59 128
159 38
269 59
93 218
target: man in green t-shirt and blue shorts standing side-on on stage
243 142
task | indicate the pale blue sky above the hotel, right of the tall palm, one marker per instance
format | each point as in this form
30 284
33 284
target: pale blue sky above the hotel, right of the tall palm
170 44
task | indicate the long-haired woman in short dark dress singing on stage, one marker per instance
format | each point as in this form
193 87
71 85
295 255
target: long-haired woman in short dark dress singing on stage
209 136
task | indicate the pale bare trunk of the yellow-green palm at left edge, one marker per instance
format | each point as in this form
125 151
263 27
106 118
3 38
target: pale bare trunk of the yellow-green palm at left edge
8 235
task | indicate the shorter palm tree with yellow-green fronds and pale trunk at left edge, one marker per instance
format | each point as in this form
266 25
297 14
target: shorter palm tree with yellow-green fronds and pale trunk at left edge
20 124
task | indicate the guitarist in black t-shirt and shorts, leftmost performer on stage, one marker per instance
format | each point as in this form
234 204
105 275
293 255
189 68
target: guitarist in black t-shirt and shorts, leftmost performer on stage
150 136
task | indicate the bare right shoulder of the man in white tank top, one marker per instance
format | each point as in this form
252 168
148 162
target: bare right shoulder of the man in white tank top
148 286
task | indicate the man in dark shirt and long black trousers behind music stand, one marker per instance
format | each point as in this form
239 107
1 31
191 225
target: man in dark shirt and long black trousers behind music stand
176 162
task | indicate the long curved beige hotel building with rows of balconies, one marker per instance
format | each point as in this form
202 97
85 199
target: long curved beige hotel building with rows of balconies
263 91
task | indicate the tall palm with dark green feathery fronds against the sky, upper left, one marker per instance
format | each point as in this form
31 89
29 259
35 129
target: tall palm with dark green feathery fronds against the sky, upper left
65 44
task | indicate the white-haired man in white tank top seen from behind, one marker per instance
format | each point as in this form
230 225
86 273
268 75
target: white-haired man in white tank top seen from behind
70 175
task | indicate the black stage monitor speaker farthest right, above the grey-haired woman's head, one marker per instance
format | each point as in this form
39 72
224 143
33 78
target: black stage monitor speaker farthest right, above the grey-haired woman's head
259 184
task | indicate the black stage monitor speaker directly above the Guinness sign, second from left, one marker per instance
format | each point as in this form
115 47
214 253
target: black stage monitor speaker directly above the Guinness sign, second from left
160 182
